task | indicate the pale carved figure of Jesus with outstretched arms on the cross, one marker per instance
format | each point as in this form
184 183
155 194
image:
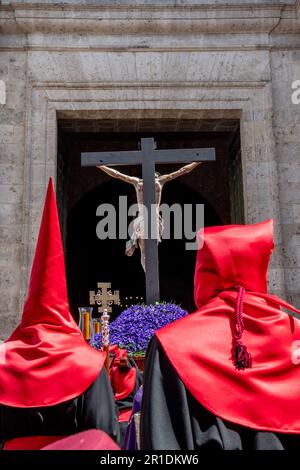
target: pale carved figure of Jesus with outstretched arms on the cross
138 237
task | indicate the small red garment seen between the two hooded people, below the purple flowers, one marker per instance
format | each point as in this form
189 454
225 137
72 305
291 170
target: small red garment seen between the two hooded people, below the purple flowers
122 380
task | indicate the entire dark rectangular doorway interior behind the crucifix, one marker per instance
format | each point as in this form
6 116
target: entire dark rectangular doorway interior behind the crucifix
81 190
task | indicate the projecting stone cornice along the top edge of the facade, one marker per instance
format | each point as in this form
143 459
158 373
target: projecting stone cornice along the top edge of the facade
153 18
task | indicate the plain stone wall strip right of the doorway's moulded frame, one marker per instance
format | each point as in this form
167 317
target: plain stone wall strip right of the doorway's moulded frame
286 118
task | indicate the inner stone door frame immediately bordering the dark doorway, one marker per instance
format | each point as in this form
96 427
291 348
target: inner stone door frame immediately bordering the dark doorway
247 103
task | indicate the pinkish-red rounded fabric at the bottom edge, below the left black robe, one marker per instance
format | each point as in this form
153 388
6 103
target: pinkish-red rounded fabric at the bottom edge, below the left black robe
86 440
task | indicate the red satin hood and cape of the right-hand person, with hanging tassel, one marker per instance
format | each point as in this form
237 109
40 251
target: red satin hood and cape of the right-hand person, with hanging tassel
264 396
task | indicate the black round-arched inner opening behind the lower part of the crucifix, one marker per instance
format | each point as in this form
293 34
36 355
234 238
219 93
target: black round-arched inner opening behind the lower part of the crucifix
90 259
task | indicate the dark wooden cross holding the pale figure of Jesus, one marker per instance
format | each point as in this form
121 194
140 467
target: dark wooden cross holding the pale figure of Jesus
148 156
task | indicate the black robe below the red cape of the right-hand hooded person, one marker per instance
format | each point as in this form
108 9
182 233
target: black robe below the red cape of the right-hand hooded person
173 420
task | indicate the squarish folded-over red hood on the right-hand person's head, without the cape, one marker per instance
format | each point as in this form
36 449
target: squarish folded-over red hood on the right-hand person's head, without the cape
232 255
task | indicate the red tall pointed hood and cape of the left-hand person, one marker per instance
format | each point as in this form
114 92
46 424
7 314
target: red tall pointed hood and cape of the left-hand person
46 360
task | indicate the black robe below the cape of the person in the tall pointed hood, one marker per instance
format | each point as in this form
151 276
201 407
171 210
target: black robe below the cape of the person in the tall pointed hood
94 409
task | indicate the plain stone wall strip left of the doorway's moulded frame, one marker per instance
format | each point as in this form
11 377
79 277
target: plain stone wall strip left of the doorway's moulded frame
12 152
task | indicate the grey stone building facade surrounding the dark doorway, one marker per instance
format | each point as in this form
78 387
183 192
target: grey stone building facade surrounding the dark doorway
189 59
